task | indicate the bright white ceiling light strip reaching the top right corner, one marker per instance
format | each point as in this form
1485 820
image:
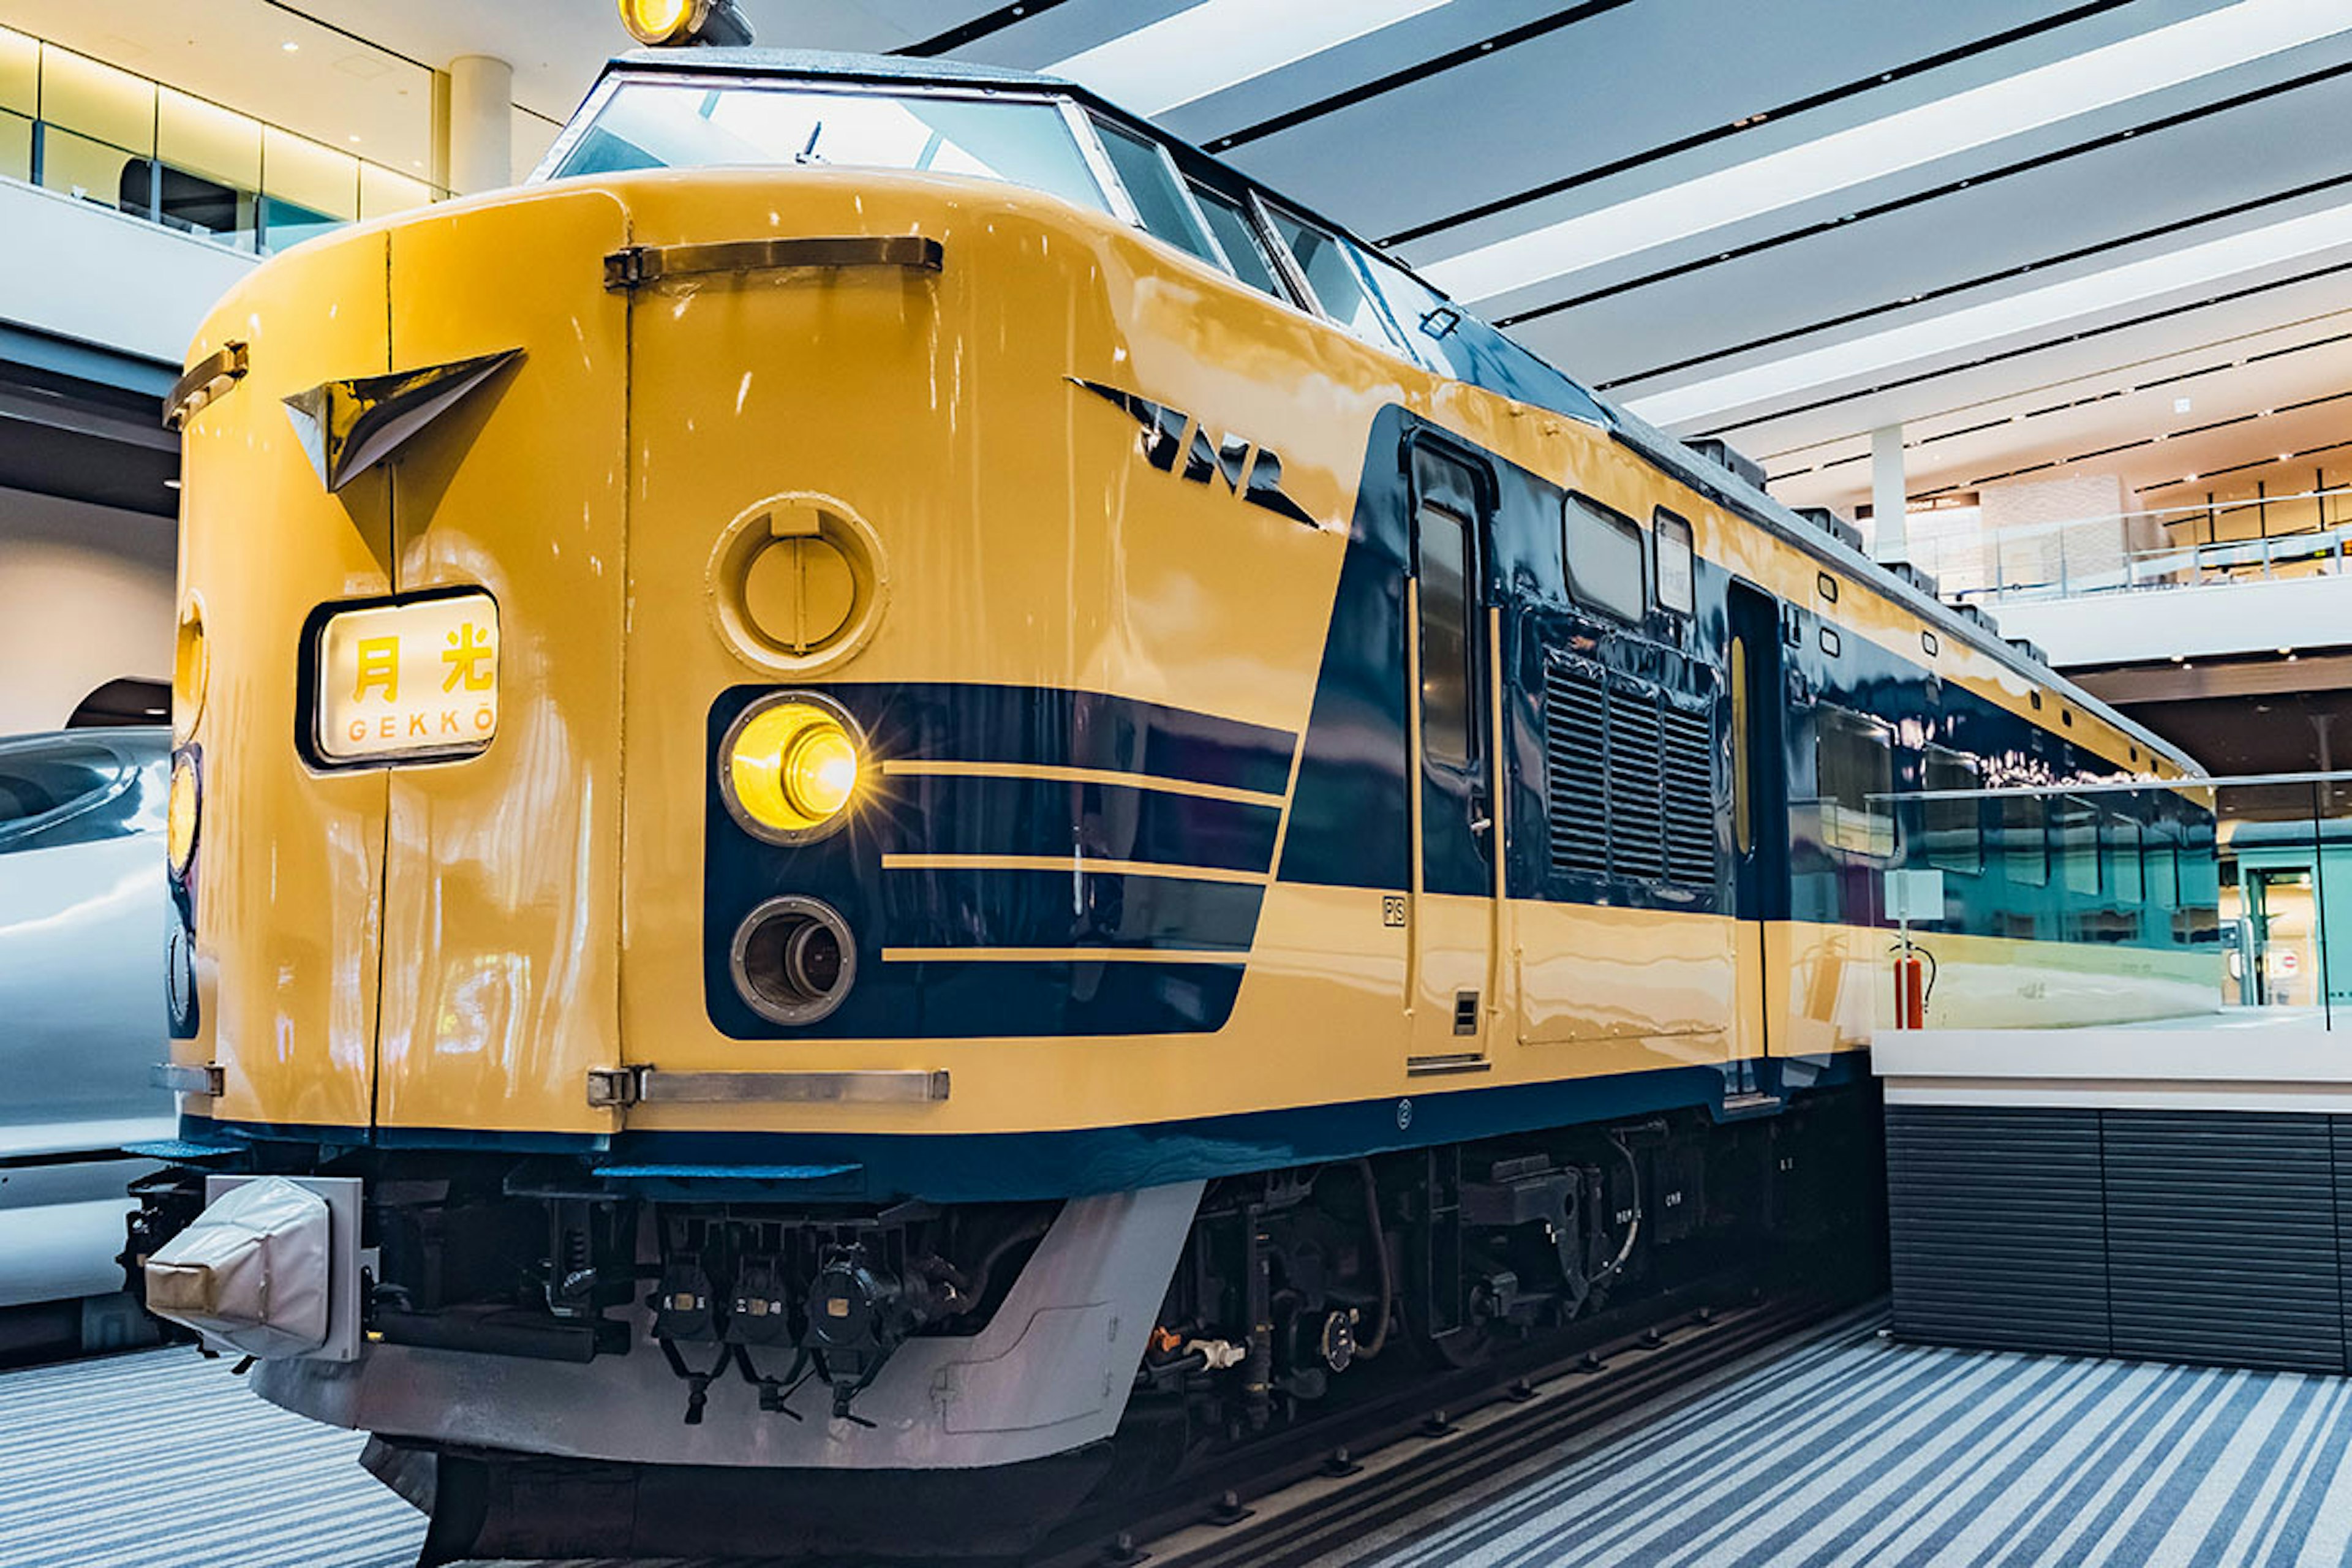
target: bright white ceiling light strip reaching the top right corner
1906 140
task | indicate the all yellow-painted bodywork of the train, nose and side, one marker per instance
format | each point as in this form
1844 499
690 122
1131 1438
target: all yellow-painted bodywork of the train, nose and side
542 906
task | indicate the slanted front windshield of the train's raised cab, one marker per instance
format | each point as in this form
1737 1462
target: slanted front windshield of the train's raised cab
662 126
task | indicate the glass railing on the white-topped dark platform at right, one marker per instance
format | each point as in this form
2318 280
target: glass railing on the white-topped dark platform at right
2193 904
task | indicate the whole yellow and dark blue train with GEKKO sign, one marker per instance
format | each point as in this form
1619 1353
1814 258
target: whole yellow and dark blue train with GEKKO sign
893 772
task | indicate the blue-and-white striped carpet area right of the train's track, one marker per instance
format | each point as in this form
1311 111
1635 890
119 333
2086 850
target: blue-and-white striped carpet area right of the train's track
1862 1452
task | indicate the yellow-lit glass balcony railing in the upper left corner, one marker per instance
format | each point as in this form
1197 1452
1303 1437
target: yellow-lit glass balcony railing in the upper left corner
131 145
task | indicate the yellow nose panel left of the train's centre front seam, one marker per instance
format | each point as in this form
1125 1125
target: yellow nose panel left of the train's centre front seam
290 864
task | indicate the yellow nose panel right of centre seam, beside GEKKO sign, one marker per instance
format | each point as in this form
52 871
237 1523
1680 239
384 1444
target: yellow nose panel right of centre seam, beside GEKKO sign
502 979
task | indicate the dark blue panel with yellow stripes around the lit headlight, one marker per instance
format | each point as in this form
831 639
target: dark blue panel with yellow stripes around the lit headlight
909 815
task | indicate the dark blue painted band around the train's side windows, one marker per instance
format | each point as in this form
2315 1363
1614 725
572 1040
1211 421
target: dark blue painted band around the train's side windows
1351 805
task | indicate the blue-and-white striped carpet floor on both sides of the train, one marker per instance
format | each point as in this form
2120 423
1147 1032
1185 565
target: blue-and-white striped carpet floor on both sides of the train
1845 1449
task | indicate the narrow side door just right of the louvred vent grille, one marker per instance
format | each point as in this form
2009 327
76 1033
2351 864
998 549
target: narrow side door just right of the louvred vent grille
1758 812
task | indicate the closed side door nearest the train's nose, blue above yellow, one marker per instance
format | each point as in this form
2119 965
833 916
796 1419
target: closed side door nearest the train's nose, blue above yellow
1452 920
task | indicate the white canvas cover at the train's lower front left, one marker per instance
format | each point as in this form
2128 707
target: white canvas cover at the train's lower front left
250 1273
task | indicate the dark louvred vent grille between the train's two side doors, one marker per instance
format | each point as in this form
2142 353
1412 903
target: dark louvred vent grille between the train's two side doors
1629 779
